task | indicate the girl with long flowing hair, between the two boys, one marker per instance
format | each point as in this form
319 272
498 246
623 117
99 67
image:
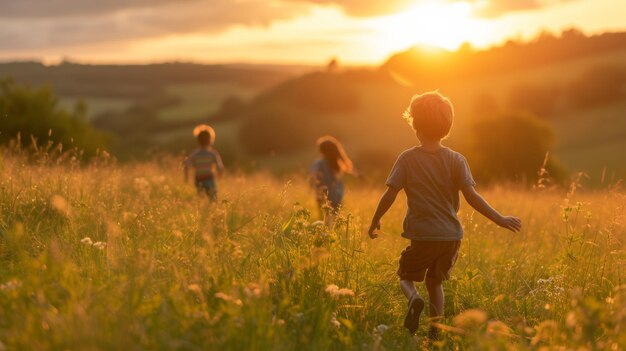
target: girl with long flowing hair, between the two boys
327 173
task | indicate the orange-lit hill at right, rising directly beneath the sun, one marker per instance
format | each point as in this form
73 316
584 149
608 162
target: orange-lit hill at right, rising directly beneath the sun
576 83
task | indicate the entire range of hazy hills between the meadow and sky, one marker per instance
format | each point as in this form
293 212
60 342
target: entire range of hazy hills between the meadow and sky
270 116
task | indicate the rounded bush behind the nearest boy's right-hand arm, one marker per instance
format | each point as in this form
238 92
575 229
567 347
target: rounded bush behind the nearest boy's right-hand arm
512 146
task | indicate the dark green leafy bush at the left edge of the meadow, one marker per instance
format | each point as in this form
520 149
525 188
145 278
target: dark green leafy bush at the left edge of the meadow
35 114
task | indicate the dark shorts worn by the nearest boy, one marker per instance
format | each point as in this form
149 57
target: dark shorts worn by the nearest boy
428 258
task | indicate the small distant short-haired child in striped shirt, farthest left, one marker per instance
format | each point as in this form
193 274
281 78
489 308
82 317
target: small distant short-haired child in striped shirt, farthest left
205 161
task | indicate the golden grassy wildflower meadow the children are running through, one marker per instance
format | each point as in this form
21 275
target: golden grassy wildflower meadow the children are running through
125 257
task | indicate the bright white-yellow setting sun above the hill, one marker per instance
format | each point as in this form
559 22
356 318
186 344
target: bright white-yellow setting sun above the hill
435 23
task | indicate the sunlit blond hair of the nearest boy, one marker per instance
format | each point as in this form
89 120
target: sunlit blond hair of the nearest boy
431 114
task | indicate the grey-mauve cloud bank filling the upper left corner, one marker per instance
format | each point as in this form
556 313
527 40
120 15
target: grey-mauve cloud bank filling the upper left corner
33 24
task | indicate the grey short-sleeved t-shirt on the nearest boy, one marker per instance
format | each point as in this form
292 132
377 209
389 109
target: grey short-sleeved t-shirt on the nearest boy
432 181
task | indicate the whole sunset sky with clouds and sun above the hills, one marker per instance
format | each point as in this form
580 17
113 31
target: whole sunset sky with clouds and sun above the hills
279 31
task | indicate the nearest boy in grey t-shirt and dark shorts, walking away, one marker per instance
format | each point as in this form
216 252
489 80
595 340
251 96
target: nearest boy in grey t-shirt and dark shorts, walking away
432 176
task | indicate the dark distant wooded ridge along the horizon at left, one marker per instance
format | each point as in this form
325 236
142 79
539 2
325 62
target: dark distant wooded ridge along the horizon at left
134 81
